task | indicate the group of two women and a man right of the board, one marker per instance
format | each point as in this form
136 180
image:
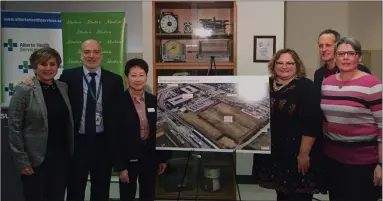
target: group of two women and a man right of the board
326 134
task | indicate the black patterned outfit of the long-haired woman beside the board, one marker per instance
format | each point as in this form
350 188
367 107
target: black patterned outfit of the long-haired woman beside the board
295 112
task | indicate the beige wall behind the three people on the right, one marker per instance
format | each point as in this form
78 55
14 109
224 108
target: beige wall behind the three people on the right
305 20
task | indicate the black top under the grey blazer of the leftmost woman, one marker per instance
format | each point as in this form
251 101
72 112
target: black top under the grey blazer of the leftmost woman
58 117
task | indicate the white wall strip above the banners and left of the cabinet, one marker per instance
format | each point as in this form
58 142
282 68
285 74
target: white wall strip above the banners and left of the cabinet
132 9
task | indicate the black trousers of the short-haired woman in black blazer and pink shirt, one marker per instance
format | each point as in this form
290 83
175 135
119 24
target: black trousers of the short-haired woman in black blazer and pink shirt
145 171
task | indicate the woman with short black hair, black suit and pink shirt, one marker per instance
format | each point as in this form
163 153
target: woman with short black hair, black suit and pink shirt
136 155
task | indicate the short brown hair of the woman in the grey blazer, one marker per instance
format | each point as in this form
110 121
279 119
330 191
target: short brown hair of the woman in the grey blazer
42 55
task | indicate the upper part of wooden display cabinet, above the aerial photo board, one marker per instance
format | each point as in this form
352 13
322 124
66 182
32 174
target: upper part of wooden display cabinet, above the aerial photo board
194 38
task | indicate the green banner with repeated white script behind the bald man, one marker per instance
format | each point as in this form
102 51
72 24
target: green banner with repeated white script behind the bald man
106 27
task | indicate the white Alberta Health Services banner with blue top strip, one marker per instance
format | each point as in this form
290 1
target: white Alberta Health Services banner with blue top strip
22 33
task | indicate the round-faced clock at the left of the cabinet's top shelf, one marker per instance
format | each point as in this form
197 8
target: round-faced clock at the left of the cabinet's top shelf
168 23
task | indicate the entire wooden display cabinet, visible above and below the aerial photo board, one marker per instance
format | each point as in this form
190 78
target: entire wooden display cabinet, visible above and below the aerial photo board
194 38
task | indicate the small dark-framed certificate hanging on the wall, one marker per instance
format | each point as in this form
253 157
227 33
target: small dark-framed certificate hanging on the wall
264 48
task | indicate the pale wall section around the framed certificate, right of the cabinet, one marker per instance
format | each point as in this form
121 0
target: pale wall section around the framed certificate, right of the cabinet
256 18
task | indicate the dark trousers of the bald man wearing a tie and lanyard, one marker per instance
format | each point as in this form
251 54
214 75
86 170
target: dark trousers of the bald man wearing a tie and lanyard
91 155
